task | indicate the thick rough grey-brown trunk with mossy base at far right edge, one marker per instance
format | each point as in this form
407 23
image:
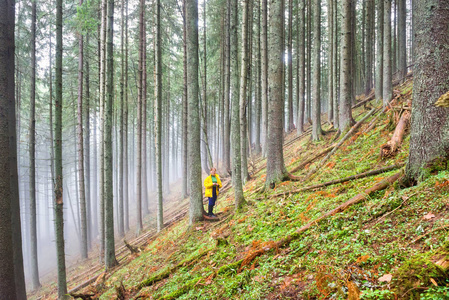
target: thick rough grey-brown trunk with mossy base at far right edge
429 135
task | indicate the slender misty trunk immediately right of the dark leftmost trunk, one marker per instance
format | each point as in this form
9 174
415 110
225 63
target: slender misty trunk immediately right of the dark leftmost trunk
32 141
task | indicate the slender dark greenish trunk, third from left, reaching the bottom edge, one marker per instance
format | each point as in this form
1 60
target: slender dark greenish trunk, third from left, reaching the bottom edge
58 205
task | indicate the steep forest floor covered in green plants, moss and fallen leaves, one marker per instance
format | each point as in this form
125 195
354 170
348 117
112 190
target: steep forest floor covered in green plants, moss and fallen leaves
391 245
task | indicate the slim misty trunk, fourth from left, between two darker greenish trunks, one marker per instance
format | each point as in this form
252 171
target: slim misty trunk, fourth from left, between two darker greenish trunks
82 194
